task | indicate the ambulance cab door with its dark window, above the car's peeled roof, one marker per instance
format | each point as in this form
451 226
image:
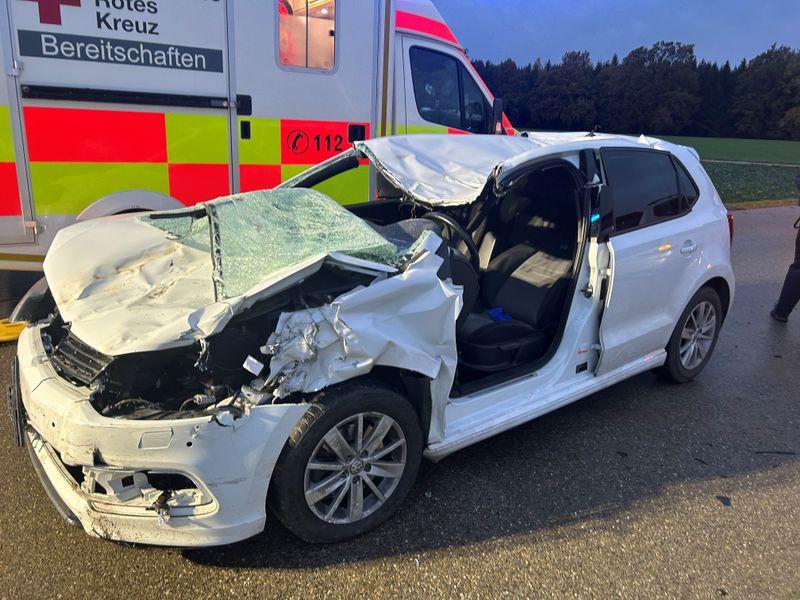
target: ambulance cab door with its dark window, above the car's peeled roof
441 94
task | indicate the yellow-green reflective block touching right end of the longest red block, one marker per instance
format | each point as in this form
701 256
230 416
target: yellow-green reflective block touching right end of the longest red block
197 139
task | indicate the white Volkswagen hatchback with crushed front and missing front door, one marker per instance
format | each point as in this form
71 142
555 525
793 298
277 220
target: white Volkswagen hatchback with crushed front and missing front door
185 371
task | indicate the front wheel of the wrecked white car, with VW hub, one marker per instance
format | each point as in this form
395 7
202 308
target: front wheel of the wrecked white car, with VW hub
320 519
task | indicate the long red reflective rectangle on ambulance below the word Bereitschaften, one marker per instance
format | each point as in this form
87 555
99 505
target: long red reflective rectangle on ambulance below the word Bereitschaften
82 135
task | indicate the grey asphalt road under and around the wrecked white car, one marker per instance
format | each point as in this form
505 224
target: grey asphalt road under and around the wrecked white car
644 490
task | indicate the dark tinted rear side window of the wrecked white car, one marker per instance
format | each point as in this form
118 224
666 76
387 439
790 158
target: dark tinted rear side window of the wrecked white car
644 186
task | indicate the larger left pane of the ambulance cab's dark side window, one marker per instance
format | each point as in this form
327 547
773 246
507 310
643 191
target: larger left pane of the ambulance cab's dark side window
436 88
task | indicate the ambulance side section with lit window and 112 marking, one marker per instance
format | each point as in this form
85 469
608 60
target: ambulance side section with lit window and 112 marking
306 82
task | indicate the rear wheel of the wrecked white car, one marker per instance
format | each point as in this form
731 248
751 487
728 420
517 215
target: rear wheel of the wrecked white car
684 364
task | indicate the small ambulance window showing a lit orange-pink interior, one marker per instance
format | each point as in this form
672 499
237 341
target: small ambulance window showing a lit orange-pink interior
307 33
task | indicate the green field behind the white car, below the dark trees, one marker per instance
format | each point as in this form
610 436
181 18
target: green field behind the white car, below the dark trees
768 175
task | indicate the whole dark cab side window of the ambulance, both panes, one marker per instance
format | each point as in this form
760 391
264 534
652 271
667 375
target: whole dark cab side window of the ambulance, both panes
445 93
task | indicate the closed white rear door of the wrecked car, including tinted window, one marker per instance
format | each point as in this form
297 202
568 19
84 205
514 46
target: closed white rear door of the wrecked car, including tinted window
653 253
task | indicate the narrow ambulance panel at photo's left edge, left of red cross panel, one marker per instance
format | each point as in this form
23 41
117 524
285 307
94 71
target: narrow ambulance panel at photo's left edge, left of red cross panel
15 208
